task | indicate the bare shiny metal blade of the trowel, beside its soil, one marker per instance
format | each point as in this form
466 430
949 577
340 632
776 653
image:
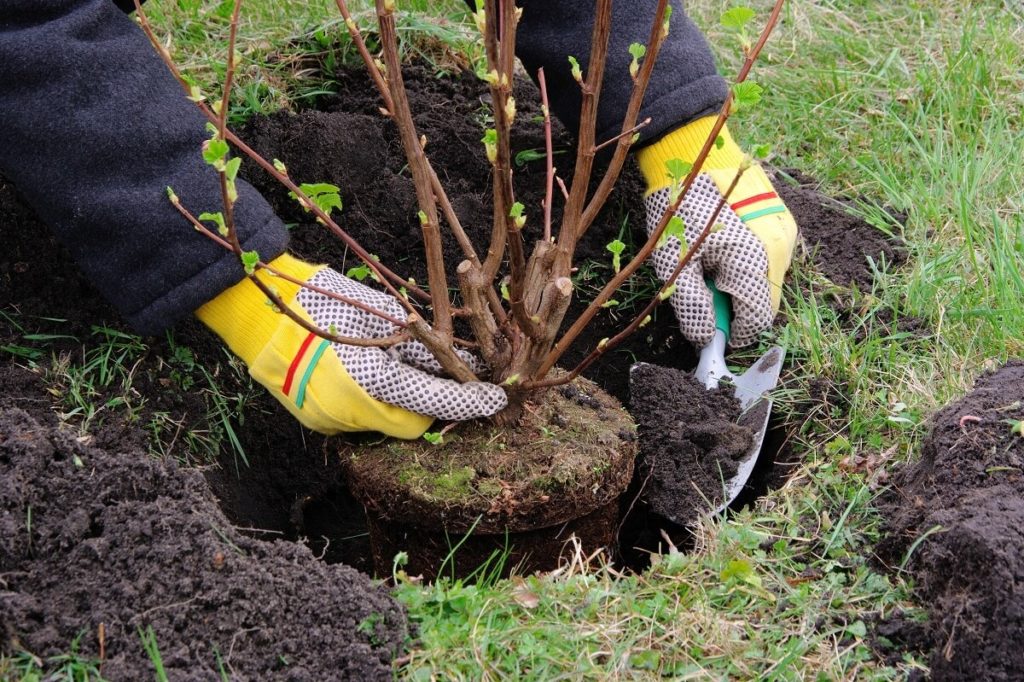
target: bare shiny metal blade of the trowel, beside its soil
754 387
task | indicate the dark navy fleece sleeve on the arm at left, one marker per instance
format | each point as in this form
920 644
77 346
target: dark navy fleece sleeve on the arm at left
93 131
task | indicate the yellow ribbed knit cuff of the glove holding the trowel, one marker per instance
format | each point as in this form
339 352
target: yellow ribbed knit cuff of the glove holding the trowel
686 144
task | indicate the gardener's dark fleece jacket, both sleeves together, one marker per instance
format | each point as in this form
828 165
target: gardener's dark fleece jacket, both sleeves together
94 130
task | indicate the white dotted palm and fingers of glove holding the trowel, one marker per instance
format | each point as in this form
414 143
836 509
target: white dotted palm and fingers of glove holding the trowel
733 257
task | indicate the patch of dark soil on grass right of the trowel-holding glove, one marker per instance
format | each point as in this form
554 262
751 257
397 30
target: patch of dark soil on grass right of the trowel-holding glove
843 246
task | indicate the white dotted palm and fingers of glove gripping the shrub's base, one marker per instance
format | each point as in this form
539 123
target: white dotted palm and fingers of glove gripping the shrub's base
404 375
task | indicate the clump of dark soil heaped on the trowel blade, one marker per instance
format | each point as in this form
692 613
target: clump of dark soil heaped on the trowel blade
691 442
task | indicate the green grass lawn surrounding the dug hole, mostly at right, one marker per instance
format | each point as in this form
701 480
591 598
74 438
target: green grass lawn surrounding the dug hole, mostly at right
916 106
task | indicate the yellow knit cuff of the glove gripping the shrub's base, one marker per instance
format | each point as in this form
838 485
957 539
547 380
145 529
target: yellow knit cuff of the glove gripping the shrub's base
243 316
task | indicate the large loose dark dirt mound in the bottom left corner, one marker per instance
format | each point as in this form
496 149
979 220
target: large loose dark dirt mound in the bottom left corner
90 537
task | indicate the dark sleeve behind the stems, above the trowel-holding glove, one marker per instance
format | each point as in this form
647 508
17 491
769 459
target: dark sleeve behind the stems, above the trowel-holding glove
686 84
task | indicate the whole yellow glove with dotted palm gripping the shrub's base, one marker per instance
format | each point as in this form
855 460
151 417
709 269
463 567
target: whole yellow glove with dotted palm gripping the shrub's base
333 388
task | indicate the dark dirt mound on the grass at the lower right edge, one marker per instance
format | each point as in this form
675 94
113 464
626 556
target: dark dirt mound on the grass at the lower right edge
967 493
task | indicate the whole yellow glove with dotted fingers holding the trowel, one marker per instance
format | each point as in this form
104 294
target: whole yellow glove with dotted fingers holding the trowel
748 260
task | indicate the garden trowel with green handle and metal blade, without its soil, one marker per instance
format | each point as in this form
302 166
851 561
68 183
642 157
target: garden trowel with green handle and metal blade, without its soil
752 389
